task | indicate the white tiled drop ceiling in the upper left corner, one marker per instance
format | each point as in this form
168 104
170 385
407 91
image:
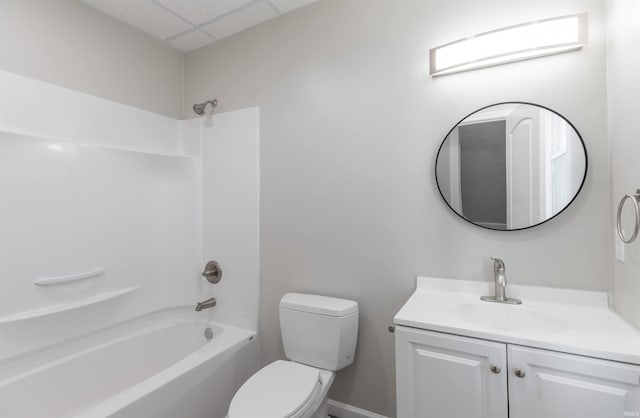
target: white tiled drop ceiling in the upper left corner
191 24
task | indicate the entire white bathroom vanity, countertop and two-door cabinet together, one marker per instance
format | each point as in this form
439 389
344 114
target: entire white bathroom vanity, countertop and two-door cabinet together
561 353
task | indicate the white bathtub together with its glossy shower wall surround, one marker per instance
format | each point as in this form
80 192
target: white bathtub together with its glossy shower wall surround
108 216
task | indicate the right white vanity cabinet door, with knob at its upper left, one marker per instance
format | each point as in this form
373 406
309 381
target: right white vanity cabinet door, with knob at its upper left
559 385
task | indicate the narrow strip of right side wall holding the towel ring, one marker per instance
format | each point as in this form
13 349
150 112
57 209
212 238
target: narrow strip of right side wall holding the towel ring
623 67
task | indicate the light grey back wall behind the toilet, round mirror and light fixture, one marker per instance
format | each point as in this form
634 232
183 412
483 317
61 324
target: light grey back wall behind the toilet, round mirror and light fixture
350 125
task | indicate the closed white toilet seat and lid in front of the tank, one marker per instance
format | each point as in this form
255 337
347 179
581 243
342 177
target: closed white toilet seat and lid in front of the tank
283 389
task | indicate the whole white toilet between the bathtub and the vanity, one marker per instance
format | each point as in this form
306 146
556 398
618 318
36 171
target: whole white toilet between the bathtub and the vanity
319 337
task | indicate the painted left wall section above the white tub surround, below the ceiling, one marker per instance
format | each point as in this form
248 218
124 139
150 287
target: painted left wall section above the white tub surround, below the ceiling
67 43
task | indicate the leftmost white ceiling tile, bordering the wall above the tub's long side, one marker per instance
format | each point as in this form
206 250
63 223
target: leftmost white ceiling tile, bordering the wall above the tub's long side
143 14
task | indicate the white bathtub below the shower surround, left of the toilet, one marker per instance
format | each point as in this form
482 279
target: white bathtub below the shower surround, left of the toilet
160 365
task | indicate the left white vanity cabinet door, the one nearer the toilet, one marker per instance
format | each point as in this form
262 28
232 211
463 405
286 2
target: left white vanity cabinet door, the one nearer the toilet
445 376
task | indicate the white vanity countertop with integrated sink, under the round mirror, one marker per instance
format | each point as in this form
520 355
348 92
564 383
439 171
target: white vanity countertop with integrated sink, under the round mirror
566 320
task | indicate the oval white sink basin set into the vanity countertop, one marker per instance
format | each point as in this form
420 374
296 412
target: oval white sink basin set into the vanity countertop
511 318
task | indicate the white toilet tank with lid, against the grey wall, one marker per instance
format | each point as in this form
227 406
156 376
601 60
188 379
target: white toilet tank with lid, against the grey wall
319 331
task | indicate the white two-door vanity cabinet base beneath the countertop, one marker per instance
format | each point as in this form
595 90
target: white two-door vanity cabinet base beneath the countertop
441 375
